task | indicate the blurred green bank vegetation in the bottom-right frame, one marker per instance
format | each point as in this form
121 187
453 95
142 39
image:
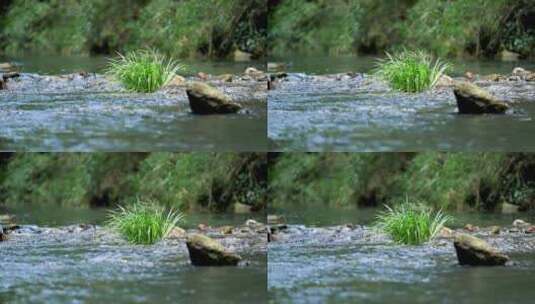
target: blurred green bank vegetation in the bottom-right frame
452 181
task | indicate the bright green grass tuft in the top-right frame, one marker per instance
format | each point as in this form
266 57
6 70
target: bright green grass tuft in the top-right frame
410 71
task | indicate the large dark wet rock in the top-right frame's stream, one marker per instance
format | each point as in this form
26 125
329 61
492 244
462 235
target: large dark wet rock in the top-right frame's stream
474 100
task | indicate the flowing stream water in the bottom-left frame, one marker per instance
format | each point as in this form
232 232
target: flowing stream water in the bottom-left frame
93 265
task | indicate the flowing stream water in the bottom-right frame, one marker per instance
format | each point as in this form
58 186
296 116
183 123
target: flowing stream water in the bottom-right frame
314 266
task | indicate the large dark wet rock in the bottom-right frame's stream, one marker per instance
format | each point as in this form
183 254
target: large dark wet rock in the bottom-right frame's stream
476 252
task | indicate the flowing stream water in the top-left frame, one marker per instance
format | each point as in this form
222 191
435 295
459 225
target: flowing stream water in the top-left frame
78 118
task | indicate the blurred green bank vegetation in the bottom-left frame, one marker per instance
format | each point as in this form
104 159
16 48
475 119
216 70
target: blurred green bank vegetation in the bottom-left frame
186 181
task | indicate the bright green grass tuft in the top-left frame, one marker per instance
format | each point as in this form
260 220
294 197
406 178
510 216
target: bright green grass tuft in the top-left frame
143 71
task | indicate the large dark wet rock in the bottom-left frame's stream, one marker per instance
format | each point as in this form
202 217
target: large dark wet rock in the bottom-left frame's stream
204 251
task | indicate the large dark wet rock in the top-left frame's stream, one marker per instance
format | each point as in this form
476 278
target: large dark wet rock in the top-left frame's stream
204 99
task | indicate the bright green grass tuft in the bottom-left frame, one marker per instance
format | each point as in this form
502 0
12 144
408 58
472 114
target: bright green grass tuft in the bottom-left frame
143 223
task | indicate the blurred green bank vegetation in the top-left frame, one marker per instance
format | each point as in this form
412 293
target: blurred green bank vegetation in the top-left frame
182 28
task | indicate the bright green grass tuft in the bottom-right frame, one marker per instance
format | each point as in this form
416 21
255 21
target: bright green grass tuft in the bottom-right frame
410 223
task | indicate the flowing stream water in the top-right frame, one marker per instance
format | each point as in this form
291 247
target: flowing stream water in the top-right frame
314 114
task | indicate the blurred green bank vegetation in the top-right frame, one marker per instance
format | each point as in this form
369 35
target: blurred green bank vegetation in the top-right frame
446 28
